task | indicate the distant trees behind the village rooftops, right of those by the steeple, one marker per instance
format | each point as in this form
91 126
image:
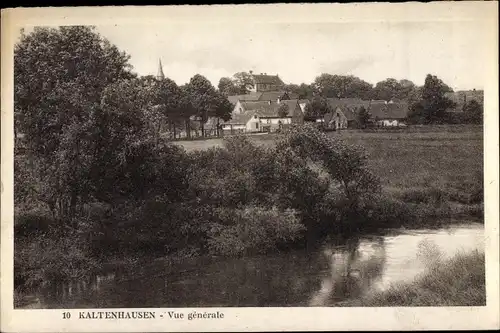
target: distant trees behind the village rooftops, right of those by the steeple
434 102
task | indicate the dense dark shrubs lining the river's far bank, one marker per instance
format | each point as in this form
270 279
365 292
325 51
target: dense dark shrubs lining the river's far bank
239 199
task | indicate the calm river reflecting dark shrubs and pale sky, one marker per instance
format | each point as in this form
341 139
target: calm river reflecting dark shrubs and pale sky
333 273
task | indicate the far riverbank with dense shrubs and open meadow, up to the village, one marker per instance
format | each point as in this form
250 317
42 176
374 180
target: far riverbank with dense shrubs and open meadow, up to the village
247 199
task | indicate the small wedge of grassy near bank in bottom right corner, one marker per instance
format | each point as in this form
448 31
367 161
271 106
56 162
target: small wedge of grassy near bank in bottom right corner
458 281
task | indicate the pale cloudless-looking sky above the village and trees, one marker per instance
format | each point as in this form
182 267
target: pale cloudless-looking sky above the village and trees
300 51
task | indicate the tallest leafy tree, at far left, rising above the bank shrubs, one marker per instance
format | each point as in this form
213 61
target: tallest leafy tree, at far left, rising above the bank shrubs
60 75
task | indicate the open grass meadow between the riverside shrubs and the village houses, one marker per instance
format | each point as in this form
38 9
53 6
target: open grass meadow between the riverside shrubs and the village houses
433 166
